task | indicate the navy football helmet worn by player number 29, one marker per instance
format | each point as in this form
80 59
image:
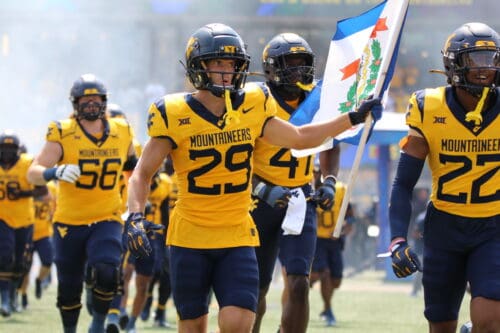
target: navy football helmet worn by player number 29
216 41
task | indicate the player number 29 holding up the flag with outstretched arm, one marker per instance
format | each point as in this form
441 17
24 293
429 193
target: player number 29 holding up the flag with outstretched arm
210 135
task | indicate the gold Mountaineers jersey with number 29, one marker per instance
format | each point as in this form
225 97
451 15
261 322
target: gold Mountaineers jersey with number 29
213 164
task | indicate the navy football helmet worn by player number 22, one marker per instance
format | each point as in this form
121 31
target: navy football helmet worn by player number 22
469 42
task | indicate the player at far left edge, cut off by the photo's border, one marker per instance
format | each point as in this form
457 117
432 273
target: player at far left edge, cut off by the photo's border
16 218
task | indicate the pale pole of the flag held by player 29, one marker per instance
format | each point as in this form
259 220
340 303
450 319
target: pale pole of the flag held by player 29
392 40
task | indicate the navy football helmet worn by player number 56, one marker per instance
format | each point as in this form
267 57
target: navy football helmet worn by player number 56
87 85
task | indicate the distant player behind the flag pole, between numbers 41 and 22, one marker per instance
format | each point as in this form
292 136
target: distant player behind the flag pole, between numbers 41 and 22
328 263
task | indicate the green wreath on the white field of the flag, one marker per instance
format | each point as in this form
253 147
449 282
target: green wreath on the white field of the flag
365 78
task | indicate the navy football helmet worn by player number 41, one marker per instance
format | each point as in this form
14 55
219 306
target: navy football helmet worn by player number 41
274 61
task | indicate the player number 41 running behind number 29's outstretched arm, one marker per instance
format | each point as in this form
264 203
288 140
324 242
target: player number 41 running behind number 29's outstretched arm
288 63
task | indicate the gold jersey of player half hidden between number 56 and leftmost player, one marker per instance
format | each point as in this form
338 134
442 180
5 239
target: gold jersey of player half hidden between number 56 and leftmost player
44 208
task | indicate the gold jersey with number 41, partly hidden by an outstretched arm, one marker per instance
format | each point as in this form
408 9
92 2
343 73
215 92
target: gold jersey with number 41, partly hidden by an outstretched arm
276 165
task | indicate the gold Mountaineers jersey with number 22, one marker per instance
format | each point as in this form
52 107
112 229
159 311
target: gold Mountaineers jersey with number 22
464 158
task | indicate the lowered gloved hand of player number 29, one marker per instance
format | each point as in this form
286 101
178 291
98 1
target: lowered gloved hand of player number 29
137 239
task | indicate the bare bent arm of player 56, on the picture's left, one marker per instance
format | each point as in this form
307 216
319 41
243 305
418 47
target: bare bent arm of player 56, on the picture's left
49 156
